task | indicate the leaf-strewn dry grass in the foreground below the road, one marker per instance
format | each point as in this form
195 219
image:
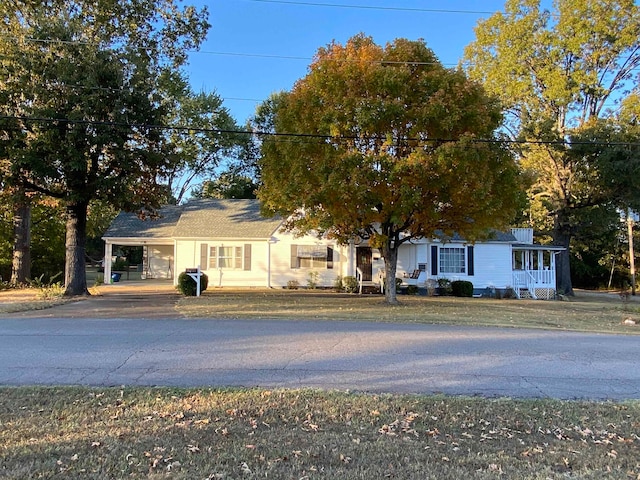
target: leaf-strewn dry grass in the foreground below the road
303 434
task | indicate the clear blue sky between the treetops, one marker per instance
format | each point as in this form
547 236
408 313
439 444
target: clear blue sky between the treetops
247 54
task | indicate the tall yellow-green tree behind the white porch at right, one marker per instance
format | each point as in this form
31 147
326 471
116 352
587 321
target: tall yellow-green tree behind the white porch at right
557 71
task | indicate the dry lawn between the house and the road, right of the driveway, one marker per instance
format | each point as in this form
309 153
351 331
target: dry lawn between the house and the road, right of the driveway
586 312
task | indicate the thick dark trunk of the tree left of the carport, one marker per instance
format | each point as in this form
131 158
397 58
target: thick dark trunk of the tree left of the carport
75 275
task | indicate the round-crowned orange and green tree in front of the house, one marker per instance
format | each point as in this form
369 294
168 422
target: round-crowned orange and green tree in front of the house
385 144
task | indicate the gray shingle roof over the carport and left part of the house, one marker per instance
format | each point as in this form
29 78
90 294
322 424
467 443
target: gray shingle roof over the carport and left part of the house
203 218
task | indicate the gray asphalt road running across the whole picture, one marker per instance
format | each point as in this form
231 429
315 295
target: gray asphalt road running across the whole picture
370 357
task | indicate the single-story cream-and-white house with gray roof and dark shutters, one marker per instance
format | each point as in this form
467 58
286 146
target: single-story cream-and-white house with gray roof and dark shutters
237 247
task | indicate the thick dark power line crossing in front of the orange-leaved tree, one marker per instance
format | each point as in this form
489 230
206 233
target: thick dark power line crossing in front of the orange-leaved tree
298 135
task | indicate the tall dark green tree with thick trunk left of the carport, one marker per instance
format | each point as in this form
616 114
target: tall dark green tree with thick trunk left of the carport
79 96
